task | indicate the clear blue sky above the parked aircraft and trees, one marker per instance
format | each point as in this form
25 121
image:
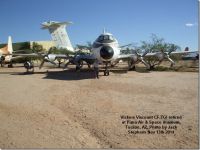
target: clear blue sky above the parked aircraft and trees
128 20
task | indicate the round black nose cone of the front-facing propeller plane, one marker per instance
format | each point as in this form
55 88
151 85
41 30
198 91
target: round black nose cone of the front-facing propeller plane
106 52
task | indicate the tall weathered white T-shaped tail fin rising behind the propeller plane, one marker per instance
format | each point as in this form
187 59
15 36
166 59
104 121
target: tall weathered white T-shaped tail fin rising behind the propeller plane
59 34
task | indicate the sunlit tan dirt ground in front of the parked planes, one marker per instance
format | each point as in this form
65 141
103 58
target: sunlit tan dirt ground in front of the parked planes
65 109
